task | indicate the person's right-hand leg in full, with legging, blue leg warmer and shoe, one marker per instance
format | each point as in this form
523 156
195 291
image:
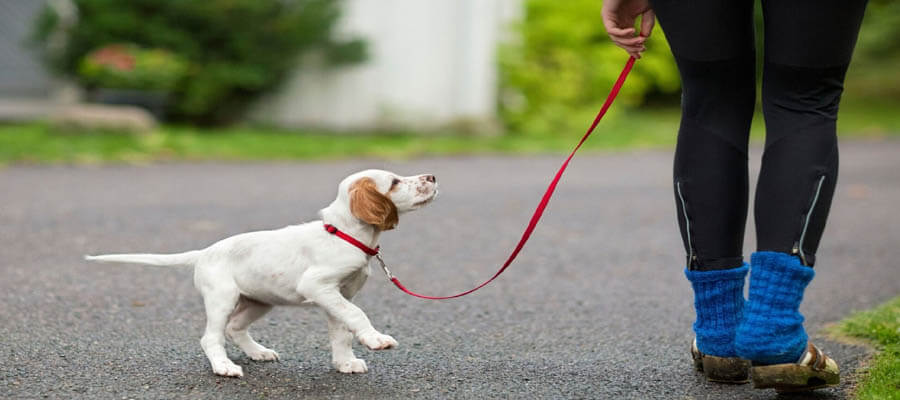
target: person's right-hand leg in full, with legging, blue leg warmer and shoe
808 49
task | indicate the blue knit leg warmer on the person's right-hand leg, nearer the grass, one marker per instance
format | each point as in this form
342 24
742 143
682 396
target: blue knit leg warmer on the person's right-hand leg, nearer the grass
772 330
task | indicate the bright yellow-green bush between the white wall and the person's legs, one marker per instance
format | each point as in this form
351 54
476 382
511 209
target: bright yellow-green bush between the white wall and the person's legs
556 76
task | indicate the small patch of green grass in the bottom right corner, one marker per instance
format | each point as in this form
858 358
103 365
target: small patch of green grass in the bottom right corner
881 327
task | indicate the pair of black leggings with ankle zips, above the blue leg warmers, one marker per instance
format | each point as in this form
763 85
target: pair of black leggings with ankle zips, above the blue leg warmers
808 45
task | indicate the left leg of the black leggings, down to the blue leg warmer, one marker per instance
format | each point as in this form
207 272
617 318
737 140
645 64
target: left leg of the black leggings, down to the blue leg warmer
717 66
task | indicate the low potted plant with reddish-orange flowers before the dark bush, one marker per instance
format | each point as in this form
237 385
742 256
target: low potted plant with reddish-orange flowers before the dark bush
121 66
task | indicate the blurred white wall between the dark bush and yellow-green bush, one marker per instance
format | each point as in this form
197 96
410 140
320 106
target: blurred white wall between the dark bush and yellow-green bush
432 63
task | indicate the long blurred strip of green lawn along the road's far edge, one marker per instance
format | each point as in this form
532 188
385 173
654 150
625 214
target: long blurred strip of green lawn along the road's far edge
43 143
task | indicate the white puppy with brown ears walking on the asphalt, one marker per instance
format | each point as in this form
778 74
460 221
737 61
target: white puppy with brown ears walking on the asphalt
242 277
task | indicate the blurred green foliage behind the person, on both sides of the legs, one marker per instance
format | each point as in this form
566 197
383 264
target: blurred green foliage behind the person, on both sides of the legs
556 75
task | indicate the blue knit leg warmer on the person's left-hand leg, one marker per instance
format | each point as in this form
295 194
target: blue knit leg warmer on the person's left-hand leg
719 304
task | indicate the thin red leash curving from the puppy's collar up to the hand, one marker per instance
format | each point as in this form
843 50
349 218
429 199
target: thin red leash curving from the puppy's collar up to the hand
542 205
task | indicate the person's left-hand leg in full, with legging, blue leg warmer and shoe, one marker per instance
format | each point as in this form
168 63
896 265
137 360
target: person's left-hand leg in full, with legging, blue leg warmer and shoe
716 63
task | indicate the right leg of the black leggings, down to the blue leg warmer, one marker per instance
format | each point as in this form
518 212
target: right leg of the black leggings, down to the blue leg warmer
808 48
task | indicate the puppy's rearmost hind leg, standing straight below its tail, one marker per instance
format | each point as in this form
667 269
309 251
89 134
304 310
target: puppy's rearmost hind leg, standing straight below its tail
219 303
